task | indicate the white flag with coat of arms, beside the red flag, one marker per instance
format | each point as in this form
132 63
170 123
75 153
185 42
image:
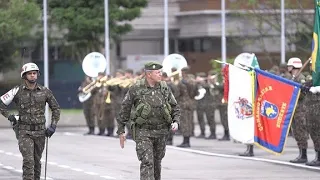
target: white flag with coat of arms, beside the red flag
240 105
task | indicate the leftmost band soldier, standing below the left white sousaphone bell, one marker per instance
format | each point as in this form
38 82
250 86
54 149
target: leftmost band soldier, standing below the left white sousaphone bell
88 109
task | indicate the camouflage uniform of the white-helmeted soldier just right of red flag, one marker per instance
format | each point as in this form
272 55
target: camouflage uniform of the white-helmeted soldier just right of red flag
299 126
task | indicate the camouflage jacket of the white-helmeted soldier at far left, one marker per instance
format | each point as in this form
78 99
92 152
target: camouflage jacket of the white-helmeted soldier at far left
31 104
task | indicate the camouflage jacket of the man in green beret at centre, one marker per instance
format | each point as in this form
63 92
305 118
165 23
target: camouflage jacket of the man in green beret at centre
144 93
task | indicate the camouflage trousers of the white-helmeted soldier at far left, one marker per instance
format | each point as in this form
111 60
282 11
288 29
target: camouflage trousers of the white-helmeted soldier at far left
31 146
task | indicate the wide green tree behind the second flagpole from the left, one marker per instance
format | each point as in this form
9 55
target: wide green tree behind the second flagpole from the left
84 20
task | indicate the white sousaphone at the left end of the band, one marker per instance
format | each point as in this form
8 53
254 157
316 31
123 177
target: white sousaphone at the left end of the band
92 64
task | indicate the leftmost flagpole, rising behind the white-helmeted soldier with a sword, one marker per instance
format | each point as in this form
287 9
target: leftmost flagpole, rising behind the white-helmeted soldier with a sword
45 49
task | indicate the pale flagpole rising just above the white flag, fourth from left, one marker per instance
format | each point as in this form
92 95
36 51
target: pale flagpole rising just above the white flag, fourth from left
223 31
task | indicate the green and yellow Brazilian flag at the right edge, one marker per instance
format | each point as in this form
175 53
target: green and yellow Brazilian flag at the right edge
316 46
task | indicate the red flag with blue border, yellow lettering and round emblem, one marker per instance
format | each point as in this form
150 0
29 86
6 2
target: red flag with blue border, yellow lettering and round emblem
275 103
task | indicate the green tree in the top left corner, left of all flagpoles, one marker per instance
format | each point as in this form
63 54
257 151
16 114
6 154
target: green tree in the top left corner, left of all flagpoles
17 19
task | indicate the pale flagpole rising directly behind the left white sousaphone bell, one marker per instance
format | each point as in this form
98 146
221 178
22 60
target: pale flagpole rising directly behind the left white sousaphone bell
106 36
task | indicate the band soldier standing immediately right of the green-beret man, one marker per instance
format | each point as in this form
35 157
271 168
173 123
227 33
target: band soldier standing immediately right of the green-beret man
187 92
